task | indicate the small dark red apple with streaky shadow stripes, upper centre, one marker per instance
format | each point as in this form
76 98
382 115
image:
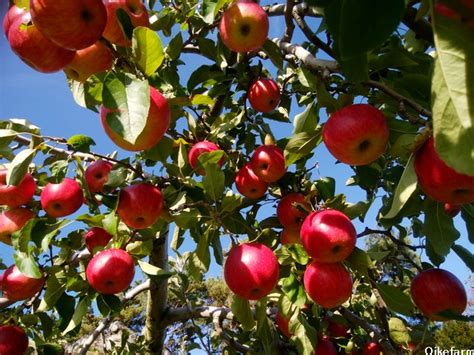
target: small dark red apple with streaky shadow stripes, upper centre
264 95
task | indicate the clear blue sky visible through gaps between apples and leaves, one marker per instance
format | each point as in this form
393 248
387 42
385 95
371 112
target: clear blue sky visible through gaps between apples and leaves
46 101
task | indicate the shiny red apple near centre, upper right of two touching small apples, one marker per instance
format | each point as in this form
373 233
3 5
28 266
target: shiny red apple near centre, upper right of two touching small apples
268 163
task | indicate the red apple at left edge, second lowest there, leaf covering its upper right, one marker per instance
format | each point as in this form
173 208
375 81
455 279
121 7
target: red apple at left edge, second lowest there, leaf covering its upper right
17 286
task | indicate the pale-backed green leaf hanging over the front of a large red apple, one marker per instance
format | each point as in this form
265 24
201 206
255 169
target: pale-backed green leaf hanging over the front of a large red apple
128 100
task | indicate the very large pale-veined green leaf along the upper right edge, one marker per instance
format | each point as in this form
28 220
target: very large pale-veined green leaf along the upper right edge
452 96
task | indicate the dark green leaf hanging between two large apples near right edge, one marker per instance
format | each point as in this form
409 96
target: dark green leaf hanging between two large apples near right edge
439 227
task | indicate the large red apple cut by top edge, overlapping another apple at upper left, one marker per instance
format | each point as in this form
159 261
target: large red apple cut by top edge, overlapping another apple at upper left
70 24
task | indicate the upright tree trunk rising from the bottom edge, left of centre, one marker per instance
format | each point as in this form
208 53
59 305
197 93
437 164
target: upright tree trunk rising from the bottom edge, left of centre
157 296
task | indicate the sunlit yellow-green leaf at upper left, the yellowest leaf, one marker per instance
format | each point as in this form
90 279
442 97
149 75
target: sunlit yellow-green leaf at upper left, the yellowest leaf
147 50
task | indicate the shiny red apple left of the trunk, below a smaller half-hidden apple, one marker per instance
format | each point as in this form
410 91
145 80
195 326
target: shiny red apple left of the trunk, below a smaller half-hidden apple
110 271
